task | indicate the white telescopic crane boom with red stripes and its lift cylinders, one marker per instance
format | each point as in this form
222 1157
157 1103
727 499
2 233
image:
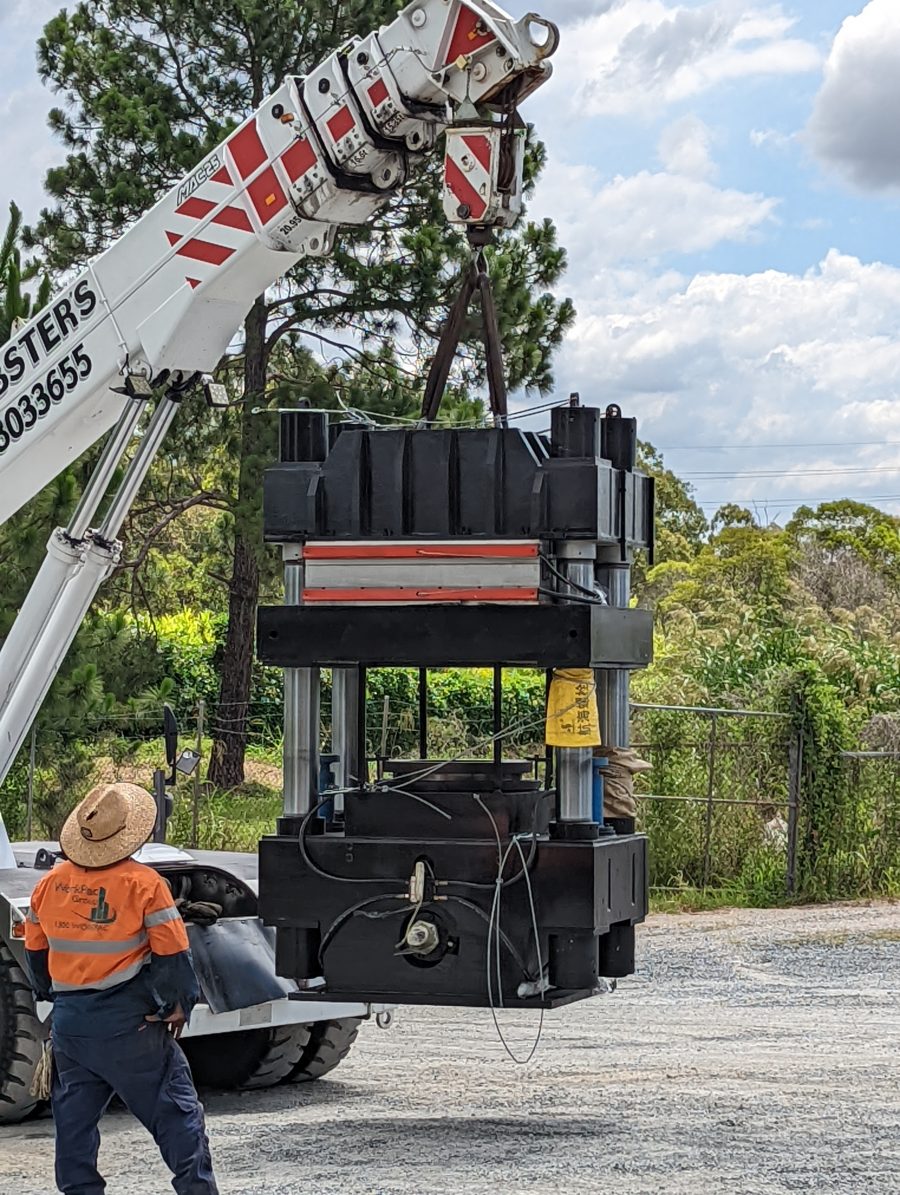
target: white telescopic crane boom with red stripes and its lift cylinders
161 307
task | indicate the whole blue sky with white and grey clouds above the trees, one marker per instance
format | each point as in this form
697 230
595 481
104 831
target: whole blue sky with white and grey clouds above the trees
726 179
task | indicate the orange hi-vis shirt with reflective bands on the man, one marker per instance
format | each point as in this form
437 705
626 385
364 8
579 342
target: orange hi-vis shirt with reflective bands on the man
102 926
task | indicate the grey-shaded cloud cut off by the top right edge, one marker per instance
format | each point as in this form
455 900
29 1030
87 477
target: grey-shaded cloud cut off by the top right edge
855 125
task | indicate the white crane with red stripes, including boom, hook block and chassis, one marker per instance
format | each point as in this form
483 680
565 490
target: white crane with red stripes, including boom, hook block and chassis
150 317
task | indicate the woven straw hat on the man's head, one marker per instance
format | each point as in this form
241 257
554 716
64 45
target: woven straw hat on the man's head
113 823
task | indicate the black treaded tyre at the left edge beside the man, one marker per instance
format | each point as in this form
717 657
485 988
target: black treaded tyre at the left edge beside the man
21 1041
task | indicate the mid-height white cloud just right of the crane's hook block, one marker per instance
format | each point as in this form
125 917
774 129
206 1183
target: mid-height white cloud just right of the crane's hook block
644 218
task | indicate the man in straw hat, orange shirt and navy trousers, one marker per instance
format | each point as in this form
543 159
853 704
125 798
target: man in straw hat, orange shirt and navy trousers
108 947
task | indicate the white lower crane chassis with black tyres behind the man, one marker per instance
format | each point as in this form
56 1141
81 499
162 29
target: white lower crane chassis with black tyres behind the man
246 1033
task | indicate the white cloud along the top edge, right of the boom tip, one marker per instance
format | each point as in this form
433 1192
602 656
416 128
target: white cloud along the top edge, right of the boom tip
640 56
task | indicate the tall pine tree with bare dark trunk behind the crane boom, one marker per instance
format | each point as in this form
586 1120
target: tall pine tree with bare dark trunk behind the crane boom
150 88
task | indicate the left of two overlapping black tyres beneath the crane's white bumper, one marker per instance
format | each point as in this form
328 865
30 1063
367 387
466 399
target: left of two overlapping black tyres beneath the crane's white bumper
255 1058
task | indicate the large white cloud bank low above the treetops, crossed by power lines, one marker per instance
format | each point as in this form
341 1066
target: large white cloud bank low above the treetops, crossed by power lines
767 358
